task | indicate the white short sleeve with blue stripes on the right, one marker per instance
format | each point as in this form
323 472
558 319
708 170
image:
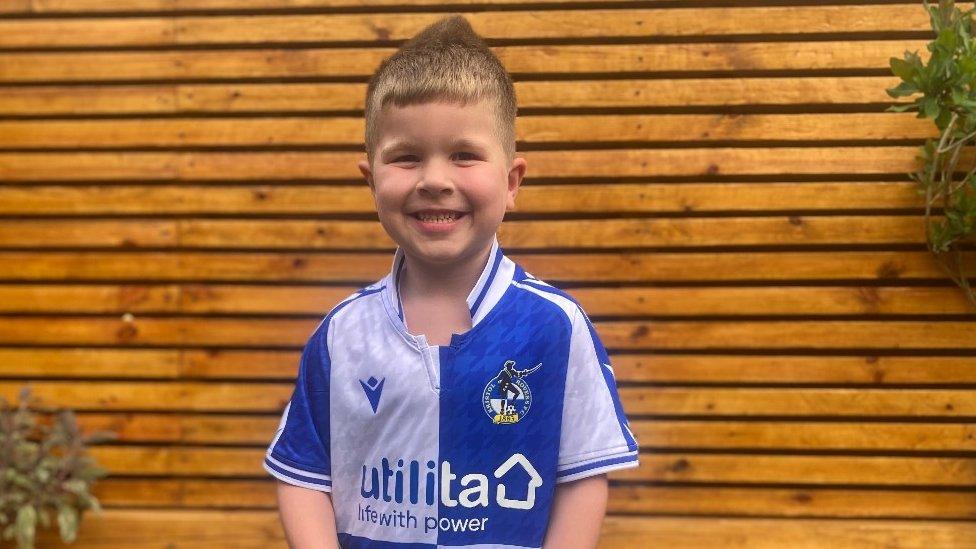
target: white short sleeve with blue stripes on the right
595 435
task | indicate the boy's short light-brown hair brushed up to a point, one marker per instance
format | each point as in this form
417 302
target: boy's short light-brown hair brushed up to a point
446 61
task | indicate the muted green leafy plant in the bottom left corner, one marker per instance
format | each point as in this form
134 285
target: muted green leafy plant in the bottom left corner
43 469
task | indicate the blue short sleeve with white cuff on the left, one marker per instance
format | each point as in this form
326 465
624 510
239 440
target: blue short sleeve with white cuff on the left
299 452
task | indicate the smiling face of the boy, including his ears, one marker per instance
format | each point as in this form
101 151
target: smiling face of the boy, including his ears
440 180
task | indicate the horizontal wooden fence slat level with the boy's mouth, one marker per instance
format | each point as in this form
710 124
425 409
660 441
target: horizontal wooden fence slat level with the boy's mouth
576 234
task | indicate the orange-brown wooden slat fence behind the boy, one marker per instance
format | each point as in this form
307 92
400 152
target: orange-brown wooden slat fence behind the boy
717 182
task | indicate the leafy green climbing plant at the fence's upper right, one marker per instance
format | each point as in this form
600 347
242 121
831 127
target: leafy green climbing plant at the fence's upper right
947 84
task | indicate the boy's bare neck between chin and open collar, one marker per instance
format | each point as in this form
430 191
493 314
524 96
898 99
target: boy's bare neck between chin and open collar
442 281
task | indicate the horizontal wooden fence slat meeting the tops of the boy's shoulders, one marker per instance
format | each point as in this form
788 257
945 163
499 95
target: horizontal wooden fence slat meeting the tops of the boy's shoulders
248 299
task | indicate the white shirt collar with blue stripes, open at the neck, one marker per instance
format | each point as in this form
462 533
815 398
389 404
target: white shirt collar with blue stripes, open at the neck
495 278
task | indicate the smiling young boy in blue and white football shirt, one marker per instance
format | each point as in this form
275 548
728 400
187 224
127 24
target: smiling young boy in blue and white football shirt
458 401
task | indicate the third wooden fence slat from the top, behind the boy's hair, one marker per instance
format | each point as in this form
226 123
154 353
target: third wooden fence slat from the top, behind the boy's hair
519 60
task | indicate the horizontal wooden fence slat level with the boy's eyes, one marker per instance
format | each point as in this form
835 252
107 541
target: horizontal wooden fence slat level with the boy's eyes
249 166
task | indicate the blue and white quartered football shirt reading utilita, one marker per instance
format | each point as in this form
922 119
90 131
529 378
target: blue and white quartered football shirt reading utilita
459 445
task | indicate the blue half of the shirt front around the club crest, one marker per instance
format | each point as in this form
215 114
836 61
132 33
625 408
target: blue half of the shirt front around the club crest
527 330
